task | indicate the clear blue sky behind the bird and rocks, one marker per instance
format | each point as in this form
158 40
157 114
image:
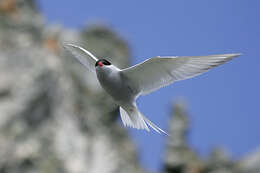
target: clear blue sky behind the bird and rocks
223 104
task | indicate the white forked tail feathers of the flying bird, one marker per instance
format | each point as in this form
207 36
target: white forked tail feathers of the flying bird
132 117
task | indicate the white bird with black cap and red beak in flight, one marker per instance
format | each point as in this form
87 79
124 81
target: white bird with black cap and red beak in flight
126 85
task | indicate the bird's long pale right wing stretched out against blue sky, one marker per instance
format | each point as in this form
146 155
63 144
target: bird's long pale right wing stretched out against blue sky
158 72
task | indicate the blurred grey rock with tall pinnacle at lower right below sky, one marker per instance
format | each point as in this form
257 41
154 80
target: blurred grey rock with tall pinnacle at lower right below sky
181 159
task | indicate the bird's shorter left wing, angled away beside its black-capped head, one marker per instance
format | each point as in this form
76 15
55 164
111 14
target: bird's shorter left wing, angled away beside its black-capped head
82 55
